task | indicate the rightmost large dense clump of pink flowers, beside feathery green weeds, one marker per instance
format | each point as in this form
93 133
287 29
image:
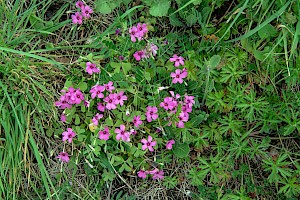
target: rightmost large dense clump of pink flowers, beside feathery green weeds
171 104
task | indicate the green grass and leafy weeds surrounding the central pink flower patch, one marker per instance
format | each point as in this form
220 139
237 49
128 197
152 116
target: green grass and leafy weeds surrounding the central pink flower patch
245 55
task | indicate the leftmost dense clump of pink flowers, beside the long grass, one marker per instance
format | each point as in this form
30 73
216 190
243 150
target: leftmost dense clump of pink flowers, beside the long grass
70 97
